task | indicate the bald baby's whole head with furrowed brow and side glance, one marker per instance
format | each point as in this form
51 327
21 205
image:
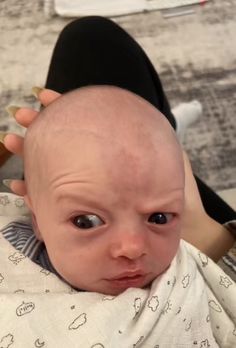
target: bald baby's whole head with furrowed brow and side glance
108 197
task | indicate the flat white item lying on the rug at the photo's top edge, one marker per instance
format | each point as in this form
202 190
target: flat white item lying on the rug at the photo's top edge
72 8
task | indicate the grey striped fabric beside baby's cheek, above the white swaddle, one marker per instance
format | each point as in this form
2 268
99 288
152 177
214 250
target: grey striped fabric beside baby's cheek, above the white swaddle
22 237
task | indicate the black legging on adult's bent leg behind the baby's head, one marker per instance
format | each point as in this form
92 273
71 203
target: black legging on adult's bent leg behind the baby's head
96 51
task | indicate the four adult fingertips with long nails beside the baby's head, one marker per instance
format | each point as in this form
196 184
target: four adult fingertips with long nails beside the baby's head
15 143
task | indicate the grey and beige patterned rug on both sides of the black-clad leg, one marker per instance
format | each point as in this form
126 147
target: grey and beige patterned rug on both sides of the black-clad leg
194 54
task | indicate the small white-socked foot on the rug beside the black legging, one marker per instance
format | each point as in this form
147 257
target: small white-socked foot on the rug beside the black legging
185 115
